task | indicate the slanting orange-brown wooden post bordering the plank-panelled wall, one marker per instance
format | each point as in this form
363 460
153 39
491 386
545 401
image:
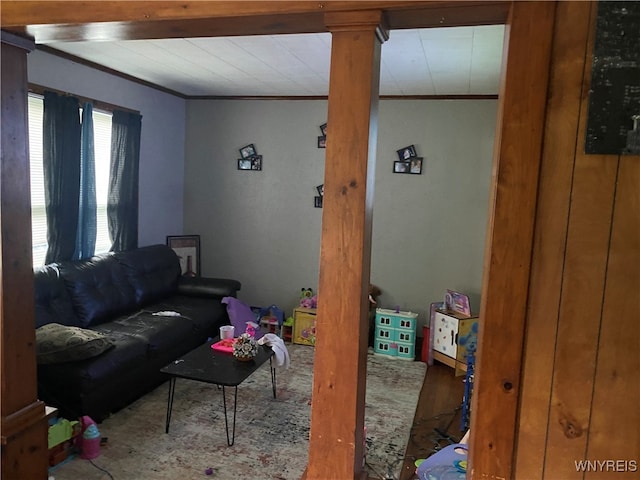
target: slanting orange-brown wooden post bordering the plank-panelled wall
507 265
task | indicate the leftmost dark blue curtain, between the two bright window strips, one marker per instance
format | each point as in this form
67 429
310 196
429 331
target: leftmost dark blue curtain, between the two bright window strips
61 162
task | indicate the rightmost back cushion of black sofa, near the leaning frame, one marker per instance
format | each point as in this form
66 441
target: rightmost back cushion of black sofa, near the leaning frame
152 271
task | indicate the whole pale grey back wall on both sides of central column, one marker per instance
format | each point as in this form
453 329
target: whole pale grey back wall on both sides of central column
262 227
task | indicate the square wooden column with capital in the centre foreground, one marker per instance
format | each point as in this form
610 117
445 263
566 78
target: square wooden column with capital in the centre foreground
337 413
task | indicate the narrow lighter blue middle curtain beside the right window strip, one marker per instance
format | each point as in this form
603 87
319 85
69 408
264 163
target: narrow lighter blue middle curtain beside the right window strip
87 221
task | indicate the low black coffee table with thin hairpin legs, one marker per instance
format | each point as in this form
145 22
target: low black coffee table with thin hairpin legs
205 364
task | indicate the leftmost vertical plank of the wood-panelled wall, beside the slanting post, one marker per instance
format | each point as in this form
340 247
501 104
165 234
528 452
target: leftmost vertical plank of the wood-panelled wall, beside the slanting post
563 110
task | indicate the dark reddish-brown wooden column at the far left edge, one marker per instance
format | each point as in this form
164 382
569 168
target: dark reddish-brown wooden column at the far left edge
24 425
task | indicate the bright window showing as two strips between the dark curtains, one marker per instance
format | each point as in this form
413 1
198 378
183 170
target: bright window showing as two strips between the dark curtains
102 146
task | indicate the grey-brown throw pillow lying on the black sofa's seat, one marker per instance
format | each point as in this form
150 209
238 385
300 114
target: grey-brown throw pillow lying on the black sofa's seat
56 343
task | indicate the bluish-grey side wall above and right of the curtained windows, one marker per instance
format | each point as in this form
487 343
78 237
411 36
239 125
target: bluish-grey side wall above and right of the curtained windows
161 143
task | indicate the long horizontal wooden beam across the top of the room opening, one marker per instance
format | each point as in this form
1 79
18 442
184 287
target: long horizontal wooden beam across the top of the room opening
52 21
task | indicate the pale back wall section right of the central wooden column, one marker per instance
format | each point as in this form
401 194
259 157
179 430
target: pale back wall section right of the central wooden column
429 229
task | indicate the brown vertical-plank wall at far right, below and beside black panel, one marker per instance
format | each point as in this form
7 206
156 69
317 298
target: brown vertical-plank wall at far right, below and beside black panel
579 399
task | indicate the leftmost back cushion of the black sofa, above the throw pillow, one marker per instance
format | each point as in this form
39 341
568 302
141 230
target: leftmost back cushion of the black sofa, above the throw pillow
52 300
